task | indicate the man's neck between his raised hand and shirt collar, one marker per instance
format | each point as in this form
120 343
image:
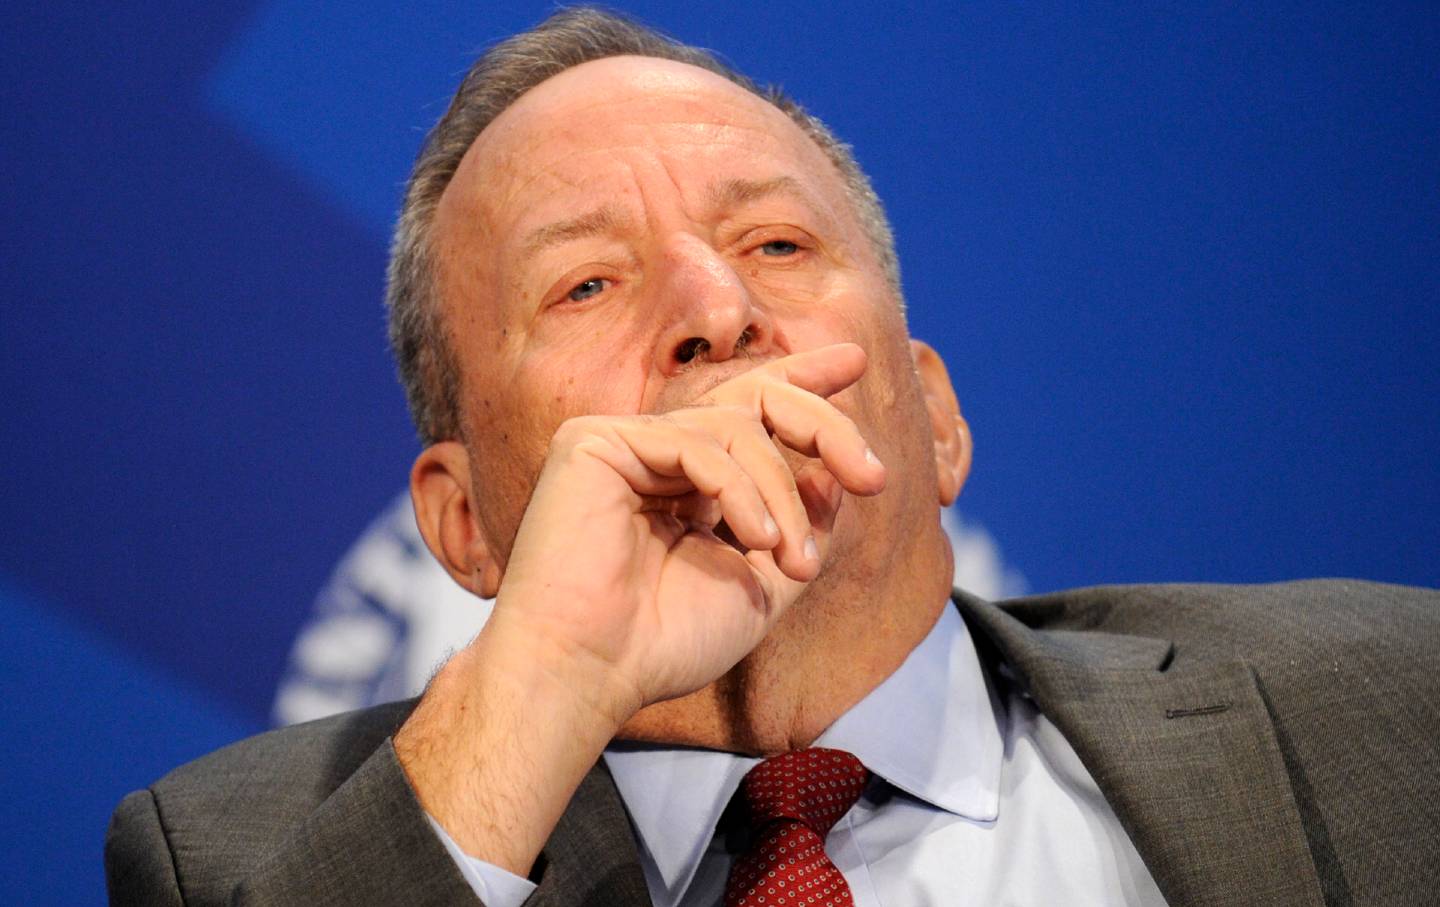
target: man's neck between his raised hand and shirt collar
850 631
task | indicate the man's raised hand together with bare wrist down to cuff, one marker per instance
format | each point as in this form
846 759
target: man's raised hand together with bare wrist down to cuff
624 590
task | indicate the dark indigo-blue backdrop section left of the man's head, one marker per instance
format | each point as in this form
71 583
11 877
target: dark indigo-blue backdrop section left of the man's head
189 329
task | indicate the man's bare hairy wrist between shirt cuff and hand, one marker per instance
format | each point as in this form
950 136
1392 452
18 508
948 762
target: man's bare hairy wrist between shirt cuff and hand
502 741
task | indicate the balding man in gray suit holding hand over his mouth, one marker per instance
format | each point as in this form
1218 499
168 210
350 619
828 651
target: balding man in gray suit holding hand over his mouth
652 329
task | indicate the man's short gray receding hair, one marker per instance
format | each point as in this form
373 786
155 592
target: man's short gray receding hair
420 339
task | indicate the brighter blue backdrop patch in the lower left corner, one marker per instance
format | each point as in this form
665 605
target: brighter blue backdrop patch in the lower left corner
87 723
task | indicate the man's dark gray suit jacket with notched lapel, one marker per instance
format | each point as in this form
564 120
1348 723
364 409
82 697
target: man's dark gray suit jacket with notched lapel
1266 745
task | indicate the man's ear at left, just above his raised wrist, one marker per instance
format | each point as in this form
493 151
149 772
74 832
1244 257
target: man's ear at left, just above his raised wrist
449 520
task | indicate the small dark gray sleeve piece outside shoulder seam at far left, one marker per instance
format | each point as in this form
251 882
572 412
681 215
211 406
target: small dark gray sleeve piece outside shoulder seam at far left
139 866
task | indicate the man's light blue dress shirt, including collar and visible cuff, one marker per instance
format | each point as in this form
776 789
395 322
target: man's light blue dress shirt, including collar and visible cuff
977 800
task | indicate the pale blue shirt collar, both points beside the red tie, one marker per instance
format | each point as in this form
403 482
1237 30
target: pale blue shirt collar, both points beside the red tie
930 729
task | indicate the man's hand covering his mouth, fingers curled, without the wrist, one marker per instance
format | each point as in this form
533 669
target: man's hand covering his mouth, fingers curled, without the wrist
618 562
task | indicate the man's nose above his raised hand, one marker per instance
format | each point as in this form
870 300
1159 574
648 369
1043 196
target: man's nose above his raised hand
711 312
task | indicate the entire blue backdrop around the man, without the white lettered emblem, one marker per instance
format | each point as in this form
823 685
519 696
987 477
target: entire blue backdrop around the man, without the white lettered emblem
1184 266
